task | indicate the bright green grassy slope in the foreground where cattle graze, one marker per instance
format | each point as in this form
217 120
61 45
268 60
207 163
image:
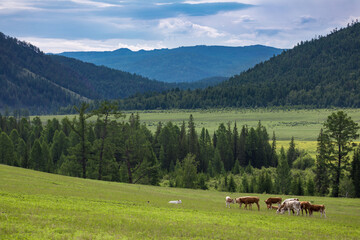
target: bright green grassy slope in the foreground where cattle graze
35 205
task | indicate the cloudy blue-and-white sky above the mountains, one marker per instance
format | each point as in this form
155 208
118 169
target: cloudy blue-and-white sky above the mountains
92 25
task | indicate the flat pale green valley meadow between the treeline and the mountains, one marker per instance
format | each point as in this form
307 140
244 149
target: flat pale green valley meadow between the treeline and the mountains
304 125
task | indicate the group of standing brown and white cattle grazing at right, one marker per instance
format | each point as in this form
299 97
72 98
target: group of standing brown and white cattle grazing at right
290 204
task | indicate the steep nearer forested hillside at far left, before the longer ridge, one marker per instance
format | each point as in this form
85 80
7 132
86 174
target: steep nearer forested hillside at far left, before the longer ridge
30 79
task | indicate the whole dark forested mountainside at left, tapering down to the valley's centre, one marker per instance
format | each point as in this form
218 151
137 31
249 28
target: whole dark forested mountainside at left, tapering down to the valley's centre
43 83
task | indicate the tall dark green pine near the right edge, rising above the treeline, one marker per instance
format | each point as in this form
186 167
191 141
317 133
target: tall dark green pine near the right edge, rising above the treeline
335 143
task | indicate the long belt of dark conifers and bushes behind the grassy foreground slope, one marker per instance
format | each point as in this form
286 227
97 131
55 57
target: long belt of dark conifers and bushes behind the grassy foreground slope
109 148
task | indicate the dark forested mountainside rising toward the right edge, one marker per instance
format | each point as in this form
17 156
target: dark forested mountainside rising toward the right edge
323 72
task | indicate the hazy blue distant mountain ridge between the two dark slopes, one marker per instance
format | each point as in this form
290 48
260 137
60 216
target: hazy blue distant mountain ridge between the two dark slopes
183 64
